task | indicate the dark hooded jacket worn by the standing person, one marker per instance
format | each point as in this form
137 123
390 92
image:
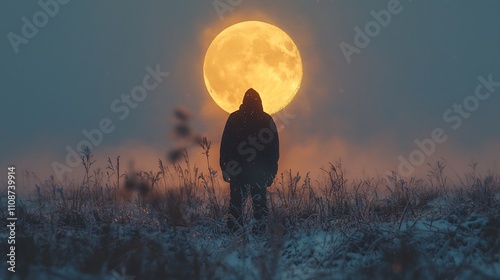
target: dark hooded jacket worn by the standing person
249 150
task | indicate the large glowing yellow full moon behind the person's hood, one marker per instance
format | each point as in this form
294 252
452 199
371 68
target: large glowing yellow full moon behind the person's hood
252 54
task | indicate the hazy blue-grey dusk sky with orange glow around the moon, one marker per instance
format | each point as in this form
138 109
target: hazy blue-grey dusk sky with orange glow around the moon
432 70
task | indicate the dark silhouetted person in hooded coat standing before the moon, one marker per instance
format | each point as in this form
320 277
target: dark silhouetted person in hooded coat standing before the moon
249 156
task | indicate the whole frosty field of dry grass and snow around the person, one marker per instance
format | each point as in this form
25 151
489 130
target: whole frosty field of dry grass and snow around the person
330 229
